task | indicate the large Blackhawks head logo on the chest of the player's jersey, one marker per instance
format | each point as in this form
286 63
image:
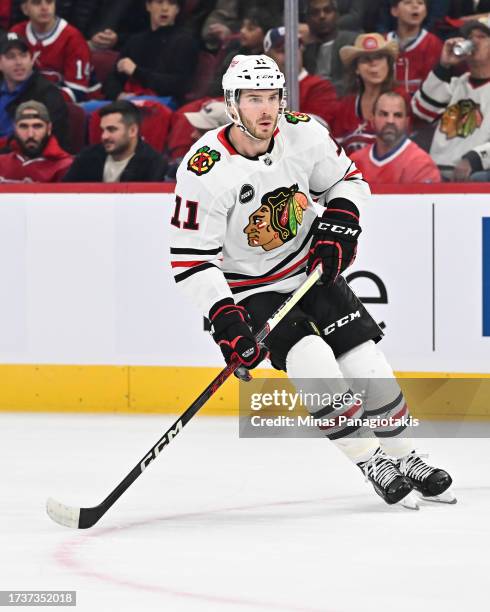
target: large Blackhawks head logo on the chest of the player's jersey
277 219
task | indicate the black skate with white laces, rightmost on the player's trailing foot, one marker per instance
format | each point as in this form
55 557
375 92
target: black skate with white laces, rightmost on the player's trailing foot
431 483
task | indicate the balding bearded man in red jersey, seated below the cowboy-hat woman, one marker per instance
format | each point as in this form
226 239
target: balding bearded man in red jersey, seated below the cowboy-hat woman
393 157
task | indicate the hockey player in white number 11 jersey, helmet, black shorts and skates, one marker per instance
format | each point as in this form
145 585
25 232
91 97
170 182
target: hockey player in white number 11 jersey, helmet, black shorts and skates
244 233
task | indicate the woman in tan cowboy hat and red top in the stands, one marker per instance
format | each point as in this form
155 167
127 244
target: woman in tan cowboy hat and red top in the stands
369 71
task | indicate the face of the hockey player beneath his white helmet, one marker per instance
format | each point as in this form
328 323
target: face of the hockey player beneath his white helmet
259 111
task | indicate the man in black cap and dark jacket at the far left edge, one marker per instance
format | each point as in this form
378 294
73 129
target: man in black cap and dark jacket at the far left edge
20 82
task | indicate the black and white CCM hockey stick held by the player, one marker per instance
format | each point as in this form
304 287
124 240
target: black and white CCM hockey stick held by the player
82 518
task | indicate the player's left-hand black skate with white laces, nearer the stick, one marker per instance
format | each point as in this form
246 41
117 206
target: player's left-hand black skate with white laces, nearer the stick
387 480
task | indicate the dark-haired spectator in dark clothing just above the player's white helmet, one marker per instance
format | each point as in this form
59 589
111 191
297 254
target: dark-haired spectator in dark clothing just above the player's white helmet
254 26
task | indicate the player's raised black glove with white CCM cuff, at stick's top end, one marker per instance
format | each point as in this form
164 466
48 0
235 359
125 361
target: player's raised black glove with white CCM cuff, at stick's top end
334 242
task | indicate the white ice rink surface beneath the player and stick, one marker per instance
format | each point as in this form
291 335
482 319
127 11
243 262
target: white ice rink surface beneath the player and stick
219 523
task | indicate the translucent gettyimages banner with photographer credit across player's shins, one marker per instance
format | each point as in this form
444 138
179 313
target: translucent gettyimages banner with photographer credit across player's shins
420 408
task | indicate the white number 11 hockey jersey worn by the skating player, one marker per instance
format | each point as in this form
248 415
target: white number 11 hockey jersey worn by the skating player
243 225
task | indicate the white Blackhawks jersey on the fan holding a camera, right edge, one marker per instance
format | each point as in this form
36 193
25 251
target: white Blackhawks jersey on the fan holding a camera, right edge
462 106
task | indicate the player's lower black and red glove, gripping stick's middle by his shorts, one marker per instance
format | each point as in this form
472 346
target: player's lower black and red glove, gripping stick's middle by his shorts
233 335
